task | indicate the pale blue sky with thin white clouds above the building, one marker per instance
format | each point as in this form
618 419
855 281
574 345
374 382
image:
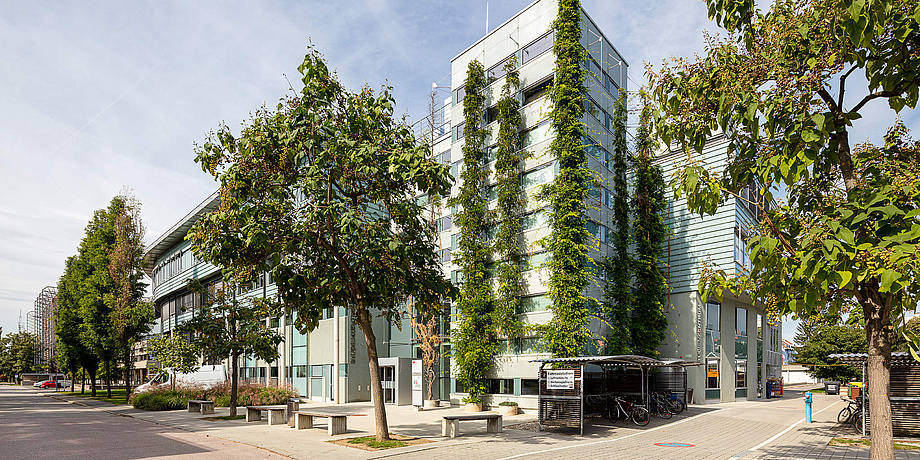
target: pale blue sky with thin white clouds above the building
97 96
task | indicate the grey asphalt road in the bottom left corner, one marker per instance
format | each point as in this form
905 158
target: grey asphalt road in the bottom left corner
35 426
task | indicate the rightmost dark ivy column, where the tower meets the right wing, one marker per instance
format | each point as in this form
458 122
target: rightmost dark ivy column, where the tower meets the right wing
649 321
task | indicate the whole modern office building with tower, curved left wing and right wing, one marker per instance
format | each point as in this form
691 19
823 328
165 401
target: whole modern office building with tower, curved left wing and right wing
330 363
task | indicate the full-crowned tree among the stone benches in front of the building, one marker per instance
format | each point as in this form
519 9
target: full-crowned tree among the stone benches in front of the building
322 192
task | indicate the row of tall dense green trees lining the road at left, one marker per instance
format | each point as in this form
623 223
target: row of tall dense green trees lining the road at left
101 312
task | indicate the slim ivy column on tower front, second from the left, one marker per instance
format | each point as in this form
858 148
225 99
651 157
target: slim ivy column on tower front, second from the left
508 243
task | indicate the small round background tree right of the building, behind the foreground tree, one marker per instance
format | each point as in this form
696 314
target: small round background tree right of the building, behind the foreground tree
829 339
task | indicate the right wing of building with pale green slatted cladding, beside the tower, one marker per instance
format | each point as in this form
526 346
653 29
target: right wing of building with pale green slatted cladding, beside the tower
737 344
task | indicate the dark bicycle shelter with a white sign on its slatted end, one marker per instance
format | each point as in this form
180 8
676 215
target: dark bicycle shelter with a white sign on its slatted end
570 389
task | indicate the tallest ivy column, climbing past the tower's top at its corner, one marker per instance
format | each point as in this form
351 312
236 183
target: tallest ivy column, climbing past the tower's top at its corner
567 333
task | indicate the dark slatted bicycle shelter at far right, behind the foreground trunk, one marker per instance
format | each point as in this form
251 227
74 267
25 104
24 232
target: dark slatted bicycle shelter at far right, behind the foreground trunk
903 391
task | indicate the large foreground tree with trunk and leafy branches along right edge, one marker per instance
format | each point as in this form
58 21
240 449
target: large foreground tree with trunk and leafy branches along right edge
780 89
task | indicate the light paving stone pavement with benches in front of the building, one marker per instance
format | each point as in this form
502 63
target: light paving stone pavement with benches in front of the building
771 429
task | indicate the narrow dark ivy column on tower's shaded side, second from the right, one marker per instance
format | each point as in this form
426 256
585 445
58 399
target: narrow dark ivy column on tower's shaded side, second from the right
619 267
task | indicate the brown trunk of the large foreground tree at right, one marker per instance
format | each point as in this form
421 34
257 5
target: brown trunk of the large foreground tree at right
878 368
